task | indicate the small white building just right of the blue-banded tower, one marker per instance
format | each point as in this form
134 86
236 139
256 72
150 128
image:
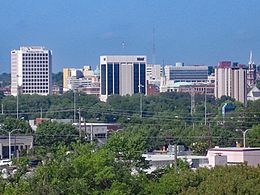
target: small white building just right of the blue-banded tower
153 72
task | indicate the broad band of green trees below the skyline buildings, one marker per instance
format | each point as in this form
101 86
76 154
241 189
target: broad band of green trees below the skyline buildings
165 119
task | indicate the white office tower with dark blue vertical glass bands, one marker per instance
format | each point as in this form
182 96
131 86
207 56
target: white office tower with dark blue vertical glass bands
123 75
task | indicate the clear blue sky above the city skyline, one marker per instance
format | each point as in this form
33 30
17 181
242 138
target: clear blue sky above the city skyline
79 31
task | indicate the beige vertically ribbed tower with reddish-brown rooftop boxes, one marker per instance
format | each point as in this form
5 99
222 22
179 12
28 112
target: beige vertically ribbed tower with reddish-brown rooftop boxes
231 81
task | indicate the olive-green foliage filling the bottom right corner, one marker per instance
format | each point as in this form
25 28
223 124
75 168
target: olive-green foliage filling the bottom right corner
219 180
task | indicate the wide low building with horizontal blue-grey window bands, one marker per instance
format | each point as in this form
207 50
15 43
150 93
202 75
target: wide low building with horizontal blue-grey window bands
191 73
